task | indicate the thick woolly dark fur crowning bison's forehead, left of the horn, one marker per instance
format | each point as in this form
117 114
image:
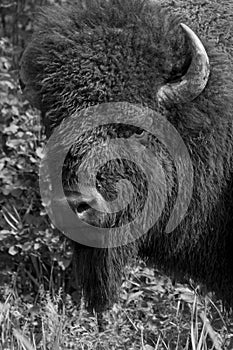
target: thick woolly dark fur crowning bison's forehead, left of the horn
99 51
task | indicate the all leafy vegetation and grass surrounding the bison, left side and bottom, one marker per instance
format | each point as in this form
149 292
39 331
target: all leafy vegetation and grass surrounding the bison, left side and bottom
35 313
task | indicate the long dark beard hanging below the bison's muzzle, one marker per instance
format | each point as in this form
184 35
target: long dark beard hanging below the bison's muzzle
98 273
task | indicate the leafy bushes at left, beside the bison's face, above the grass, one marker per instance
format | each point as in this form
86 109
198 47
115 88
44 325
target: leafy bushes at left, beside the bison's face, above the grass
29 244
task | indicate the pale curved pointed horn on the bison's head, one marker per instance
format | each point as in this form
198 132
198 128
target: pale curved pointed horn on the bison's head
194 81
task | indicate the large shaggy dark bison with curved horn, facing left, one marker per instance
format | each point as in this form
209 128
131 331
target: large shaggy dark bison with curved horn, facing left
165 56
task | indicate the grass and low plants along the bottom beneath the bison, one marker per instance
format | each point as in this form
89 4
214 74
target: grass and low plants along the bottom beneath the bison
151 314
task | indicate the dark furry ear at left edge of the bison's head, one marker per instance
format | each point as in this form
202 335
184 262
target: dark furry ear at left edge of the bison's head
28 80
